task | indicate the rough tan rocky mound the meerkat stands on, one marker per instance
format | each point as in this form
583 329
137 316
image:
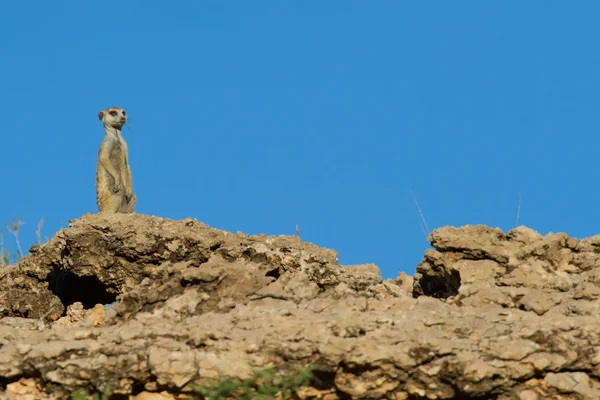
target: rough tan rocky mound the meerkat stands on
489 316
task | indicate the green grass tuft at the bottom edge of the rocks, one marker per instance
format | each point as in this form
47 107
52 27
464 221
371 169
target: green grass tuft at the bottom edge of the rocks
265 384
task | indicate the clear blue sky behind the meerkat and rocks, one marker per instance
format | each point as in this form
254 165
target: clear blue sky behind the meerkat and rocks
257 116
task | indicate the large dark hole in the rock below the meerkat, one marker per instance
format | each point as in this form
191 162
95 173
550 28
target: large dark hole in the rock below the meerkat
70 288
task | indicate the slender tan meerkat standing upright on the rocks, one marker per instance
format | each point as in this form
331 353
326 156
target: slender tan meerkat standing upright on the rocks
114 187
